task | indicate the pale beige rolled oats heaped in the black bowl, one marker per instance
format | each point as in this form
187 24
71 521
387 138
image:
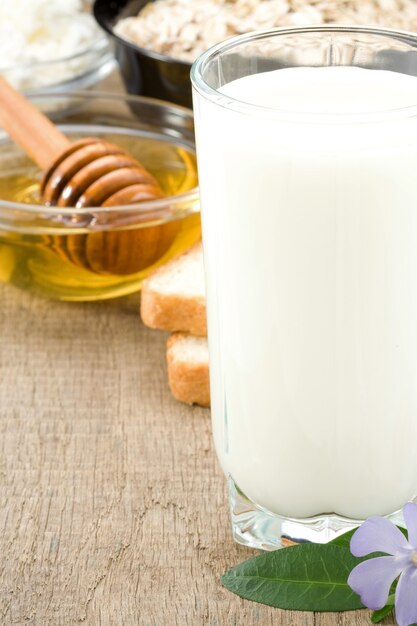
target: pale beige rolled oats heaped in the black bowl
184 28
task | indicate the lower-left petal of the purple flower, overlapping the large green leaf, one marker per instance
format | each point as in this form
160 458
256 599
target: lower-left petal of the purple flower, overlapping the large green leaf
372 580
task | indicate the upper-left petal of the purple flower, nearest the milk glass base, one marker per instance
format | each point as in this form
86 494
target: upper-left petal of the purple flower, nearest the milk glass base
377 534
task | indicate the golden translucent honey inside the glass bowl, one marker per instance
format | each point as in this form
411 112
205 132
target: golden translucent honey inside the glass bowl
93 255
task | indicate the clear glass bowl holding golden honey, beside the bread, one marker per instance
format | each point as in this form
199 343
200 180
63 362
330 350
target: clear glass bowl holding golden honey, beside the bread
98 253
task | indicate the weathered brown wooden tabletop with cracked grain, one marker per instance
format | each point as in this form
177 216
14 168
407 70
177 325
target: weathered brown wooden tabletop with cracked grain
113 509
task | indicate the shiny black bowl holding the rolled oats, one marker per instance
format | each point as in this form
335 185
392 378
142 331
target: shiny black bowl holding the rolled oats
144 71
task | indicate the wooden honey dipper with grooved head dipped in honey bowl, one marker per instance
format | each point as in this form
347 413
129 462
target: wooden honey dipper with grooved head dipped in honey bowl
87 173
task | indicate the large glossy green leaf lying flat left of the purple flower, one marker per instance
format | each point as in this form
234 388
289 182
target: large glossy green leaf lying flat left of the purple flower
307 577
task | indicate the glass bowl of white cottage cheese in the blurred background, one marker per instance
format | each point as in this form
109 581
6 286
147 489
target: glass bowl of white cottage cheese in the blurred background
52 45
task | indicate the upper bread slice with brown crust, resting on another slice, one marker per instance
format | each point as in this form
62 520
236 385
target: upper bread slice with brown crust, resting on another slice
173 297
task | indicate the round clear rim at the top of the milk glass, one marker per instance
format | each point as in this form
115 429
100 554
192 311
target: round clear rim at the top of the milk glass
212 94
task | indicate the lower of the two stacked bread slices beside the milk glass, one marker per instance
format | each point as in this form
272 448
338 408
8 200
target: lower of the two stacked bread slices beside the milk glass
188 368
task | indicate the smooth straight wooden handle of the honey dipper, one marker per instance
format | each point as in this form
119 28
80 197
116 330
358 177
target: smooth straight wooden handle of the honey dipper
29 128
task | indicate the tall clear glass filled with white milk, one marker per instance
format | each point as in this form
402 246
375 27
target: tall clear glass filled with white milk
307 157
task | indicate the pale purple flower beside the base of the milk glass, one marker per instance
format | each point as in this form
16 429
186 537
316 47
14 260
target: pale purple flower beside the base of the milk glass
372 579
